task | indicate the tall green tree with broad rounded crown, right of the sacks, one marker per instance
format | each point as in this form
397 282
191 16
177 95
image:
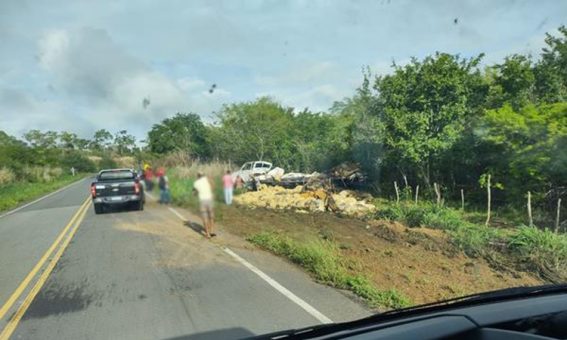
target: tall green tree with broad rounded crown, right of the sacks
422 109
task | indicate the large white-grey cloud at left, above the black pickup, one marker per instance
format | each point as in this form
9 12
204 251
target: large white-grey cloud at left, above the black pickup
110 86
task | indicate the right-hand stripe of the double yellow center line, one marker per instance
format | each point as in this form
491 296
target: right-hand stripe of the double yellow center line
15 320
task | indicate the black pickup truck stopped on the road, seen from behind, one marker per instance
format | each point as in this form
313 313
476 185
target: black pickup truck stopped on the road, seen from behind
117 187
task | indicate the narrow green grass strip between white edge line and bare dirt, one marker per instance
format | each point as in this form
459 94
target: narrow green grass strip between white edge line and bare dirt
322 259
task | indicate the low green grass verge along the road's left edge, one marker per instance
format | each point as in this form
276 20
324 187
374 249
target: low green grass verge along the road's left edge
15 193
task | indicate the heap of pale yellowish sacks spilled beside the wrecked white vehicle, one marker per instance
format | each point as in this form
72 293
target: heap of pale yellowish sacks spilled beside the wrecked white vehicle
276 197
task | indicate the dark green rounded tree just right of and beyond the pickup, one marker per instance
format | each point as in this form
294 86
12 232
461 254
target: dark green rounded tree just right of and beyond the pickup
184 131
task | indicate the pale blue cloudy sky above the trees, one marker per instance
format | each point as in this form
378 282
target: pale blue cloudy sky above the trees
85 65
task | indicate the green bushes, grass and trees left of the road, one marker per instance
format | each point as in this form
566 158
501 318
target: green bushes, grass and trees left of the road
45 161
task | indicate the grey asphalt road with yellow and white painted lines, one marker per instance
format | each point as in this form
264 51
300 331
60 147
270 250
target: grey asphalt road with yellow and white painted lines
146 275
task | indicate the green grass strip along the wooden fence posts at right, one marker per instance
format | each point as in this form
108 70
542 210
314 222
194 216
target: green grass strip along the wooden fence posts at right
530 248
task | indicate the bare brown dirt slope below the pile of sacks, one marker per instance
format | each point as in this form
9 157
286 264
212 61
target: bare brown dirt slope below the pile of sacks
421 263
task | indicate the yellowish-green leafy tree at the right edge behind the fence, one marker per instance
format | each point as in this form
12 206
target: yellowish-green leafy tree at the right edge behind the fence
529 145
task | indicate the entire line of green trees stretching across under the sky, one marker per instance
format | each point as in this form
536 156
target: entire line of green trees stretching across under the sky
443 119
